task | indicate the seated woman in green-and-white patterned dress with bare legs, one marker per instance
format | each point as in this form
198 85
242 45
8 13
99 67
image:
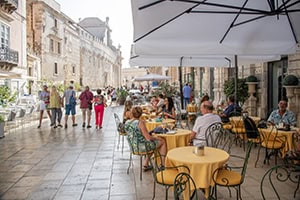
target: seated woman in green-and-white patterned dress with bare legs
140 138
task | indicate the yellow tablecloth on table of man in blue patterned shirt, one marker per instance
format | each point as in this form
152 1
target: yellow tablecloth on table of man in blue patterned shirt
290 143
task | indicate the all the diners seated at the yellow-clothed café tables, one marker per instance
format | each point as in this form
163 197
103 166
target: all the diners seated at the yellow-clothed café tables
165 105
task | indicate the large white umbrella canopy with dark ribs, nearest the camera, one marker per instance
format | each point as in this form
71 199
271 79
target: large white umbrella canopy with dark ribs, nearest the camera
212 27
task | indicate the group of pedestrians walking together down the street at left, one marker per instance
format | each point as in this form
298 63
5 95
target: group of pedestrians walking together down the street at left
53 103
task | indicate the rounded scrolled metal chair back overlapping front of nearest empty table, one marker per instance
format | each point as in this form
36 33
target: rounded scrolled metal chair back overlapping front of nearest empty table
184 183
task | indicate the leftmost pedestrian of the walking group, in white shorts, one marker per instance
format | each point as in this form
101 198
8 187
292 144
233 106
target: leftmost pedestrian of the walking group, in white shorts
44 97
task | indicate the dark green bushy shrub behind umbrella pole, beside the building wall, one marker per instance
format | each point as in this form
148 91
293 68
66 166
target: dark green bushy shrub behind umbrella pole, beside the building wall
242 92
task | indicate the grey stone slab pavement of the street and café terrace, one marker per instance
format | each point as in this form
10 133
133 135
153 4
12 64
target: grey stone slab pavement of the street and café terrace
87 164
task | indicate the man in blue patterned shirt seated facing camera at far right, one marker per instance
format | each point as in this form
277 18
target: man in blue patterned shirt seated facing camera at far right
282 115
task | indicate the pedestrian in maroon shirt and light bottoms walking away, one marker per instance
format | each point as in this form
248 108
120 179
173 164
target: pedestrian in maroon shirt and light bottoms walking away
86 105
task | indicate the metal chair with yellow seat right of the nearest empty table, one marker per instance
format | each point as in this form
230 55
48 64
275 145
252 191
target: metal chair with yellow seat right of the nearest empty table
229 176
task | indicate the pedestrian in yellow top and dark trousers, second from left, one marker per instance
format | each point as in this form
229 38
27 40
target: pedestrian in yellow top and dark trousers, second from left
55 106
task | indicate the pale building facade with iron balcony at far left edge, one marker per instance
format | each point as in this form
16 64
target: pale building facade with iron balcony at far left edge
13 45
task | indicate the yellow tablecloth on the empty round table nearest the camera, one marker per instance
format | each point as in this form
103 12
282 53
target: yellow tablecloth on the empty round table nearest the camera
201 167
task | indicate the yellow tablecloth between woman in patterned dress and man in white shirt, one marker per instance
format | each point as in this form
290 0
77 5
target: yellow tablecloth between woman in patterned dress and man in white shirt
180 139
